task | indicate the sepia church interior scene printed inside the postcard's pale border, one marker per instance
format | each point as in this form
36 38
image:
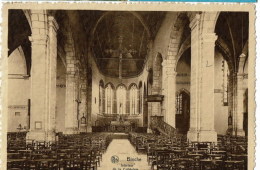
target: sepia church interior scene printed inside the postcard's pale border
170 88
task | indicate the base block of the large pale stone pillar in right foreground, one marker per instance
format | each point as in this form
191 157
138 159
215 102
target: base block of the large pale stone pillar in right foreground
202 136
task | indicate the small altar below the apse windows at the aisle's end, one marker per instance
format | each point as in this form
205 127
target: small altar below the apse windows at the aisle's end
120 126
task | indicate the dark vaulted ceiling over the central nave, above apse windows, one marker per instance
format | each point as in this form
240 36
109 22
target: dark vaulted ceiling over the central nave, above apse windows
125 35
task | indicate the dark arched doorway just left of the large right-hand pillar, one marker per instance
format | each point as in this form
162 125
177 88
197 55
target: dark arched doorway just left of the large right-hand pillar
182 111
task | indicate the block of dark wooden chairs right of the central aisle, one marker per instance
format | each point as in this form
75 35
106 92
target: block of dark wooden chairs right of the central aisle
175 153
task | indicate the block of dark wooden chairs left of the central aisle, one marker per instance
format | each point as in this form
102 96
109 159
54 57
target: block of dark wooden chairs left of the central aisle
81 151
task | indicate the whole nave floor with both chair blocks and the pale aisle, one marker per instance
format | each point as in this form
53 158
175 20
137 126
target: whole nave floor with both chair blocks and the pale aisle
142 151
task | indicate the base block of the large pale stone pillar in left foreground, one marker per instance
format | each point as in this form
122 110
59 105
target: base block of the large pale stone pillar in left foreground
41 136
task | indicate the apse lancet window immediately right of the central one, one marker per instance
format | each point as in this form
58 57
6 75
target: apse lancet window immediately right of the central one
133 100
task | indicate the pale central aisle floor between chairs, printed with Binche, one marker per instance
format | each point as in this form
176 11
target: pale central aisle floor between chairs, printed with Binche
122 149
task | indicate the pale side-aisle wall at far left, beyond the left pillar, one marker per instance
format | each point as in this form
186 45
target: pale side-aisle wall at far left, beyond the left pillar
18 91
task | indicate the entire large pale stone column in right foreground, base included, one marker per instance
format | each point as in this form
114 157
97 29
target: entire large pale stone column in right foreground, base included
202 84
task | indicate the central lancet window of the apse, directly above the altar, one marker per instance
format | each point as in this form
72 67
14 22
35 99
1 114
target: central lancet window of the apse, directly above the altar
121 99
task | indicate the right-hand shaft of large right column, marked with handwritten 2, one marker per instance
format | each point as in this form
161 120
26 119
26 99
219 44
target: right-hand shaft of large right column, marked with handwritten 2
207 131
